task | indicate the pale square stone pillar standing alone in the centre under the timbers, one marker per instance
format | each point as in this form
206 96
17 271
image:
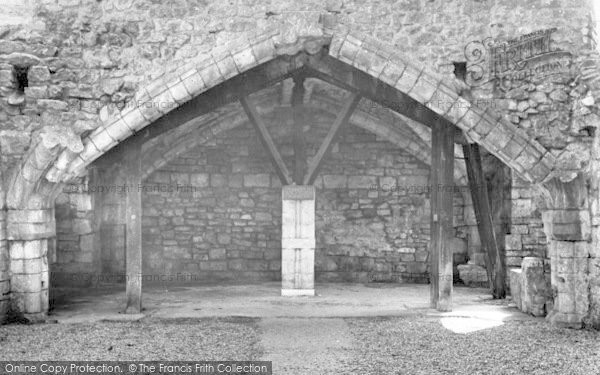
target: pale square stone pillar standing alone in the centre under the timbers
298 241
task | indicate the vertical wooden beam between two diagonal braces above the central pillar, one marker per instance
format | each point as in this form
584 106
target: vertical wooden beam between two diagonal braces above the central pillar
298 134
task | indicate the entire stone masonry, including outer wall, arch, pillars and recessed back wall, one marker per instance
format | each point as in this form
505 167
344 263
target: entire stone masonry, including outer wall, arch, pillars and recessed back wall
78 77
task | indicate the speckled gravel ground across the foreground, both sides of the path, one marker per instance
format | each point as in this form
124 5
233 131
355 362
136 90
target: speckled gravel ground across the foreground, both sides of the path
412 344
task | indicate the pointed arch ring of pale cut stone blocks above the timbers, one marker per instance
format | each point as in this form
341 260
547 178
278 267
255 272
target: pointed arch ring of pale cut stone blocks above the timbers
47 160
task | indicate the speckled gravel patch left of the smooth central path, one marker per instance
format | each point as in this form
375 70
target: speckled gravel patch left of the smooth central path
174 339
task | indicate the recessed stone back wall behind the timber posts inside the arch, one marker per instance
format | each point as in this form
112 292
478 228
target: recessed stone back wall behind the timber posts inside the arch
214 212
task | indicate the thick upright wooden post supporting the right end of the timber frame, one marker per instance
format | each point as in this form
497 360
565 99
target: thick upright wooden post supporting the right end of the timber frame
442 183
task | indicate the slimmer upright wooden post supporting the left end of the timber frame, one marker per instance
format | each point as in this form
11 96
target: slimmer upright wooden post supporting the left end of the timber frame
133 222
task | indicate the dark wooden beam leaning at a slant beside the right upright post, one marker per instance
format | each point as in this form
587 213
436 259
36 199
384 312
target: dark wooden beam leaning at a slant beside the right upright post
483 213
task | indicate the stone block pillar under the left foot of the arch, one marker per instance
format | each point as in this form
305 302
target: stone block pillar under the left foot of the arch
29 232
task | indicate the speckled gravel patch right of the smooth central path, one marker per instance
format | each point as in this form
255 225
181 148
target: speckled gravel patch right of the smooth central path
421 345
